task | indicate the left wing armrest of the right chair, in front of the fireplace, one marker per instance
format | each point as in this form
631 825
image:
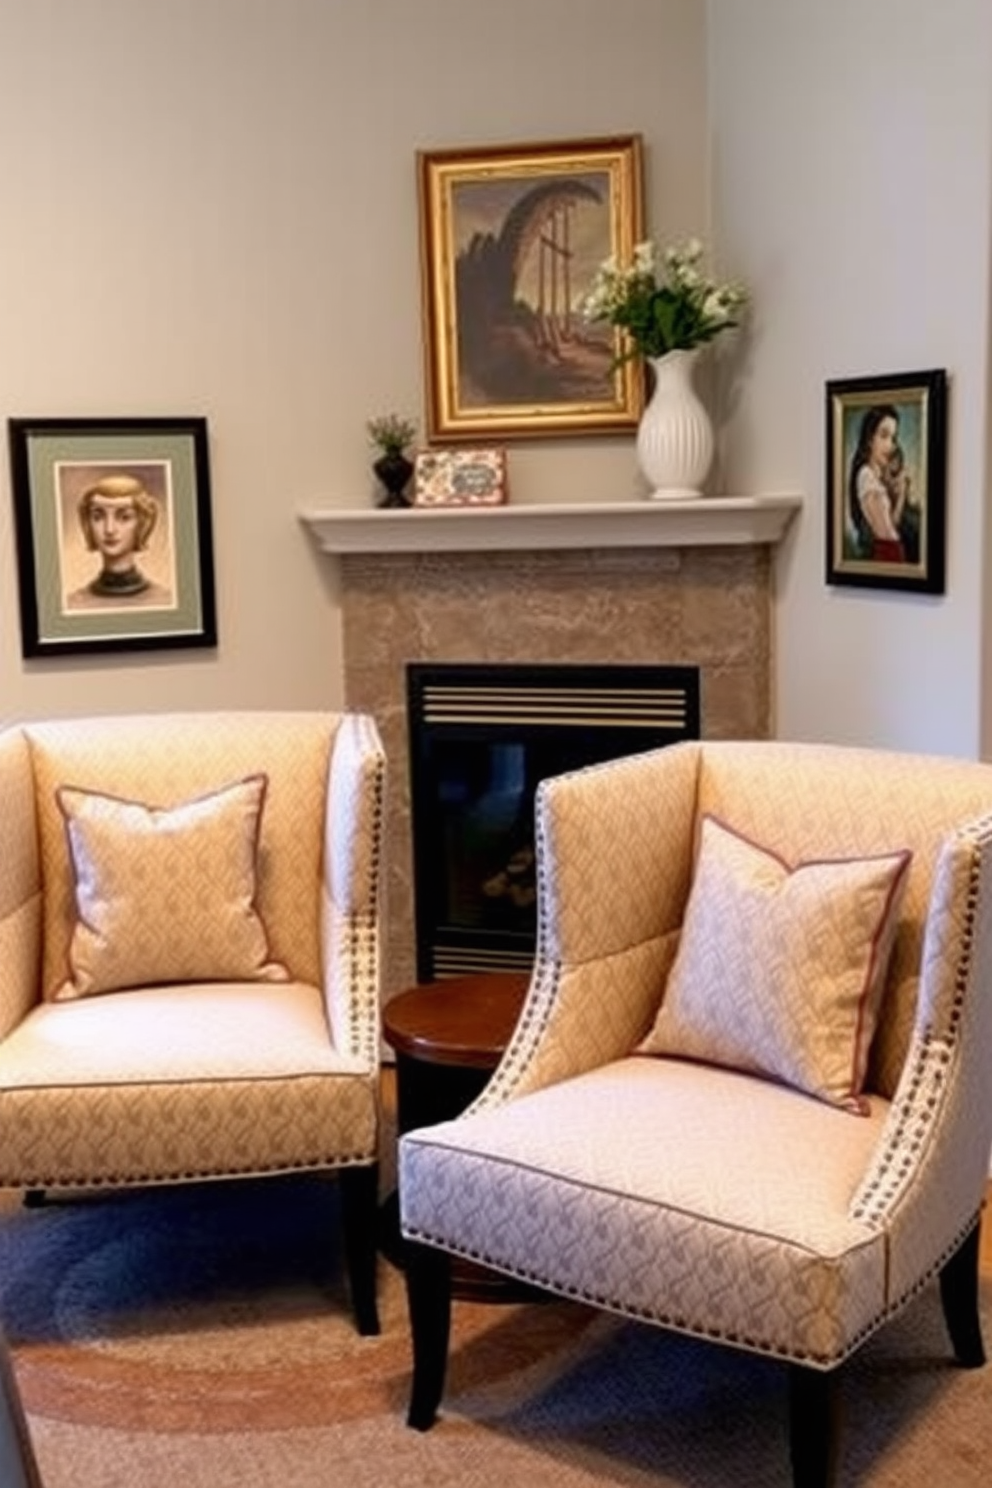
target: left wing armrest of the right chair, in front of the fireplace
615 849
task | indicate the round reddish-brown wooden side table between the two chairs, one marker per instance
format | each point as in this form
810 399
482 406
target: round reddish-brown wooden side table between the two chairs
448 1039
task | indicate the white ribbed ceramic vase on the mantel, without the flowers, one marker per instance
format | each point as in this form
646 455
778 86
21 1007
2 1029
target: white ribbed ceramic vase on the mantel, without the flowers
674 440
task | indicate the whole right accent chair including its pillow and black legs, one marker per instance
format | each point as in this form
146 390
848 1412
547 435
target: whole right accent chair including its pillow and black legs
750 1091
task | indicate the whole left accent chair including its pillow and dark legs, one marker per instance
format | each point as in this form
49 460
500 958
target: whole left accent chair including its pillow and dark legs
190 956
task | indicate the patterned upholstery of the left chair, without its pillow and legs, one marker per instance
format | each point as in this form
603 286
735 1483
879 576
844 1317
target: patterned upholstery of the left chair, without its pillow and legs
202 1080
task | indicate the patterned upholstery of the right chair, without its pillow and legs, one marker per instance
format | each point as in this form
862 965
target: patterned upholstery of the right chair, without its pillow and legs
700 1197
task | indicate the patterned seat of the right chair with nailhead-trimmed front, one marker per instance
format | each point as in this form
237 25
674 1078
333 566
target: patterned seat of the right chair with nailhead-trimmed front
697 1197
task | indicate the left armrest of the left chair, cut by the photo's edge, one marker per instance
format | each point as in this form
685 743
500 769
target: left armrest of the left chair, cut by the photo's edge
20 885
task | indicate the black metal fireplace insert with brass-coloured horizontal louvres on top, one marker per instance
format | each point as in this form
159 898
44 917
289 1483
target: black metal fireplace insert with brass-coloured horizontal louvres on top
483 737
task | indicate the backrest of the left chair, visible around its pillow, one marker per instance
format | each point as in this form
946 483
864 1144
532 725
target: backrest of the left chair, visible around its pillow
164 760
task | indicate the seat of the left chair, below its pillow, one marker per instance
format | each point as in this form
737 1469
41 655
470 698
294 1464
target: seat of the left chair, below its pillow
175 1083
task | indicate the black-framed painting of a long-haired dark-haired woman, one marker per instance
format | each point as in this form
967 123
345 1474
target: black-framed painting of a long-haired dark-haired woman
887 513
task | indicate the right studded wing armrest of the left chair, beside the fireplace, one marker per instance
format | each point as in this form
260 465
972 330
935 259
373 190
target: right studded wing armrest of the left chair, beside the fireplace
352 889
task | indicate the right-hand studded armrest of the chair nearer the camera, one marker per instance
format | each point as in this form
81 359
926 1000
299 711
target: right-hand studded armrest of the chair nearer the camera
929 1178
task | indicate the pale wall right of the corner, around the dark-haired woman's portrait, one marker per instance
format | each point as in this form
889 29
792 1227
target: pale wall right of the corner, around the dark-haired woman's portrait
853 190
